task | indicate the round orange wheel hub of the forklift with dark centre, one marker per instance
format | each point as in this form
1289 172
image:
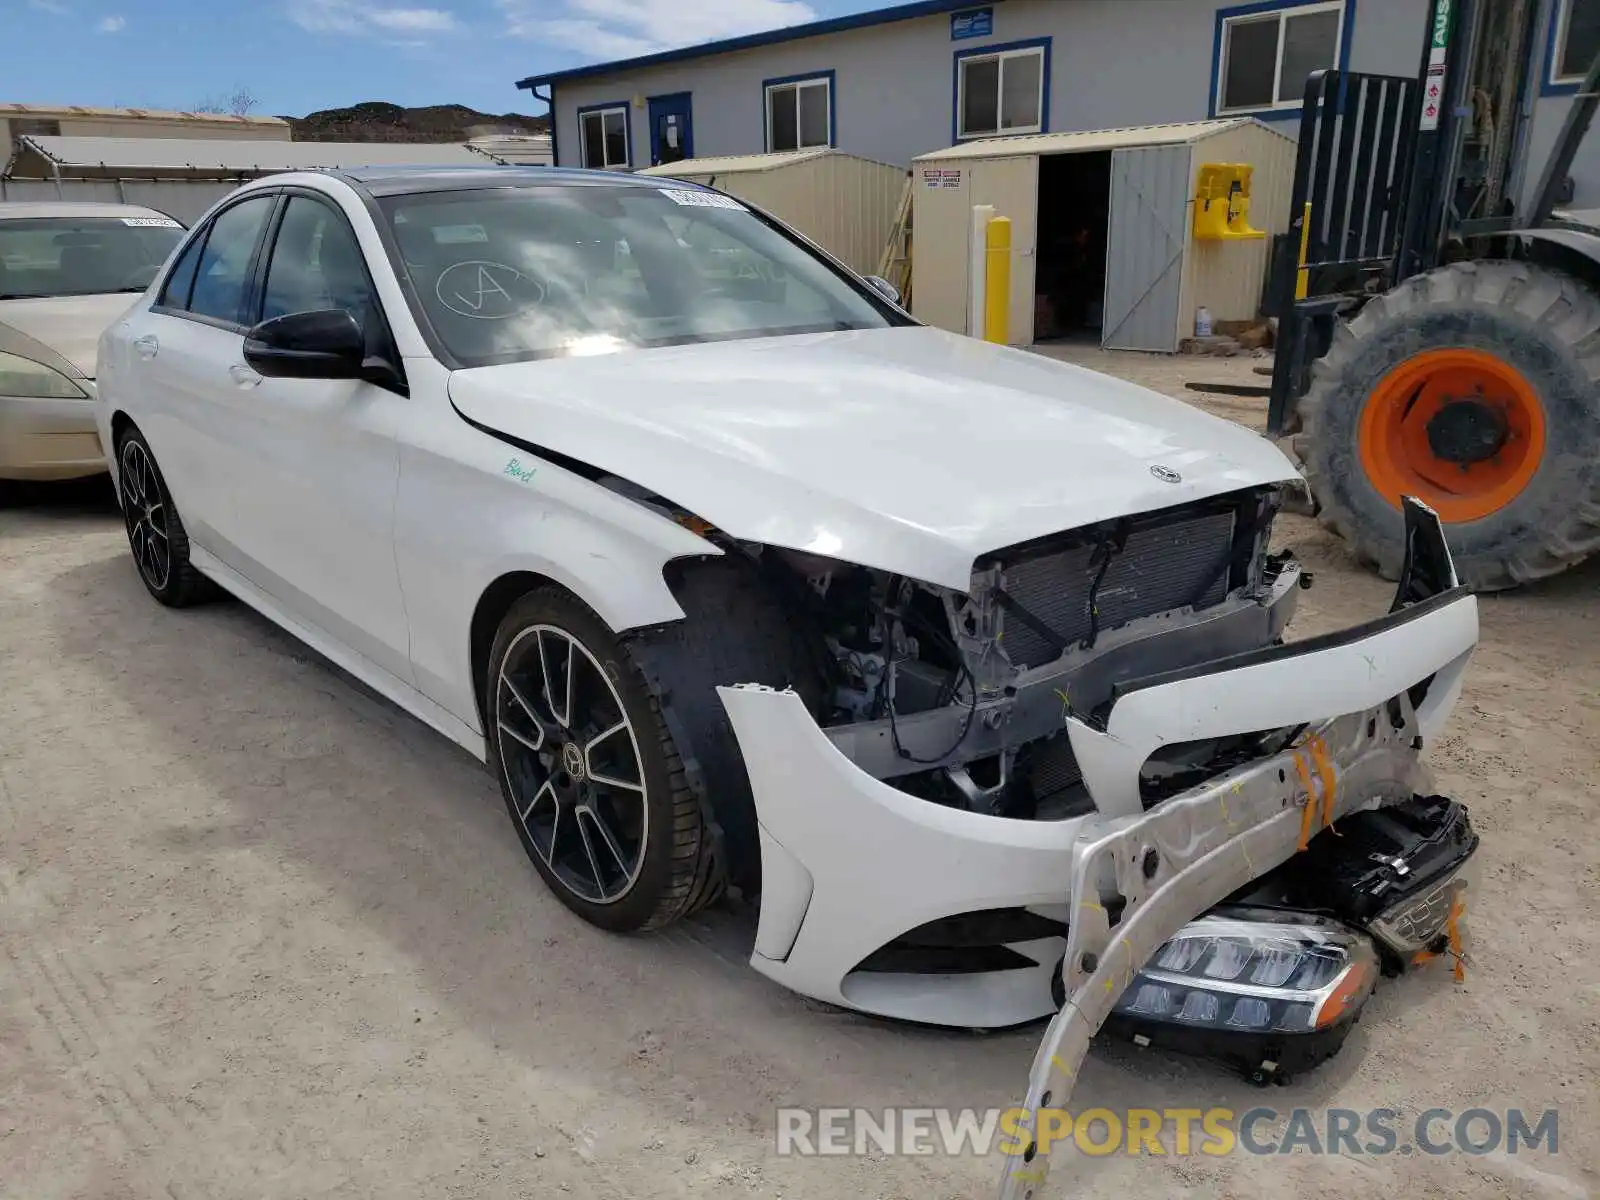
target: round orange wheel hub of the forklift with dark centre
1463 431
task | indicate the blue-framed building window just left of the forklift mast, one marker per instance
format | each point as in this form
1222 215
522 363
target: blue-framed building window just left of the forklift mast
1266 58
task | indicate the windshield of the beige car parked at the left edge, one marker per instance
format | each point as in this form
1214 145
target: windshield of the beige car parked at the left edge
82 255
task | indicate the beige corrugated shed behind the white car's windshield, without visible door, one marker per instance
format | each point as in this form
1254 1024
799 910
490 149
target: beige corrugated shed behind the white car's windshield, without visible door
842 202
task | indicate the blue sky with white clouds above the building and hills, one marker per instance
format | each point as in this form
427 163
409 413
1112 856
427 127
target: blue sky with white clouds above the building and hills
302 55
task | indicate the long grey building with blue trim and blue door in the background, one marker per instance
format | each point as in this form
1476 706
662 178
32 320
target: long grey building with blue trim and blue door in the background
914 78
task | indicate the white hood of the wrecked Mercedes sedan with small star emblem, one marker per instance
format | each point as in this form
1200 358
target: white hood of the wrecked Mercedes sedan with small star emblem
910 450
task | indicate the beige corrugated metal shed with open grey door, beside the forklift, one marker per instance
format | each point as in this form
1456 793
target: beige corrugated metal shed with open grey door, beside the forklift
1158 274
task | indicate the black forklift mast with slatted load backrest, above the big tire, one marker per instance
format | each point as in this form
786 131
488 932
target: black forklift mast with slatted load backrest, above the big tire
1401 175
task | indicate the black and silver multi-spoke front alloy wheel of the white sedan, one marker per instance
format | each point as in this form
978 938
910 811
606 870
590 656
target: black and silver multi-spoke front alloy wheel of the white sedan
572 762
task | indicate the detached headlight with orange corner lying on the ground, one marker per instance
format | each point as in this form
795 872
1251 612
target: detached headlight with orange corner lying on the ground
1257 970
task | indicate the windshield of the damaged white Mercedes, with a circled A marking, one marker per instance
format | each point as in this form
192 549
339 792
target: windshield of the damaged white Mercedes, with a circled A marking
530 273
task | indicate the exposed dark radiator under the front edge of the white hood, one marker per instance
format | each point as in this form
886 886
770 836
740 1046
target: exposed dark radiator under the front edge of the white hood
1159 569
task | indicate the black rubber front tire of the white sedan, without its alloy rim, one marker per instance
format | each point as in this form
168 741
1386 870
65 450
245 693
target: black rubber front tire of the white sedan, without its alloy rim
679 873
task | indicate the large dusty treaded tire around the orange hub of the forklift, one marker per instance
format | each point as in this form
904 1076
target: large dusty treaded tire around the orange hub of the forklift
1542 322
